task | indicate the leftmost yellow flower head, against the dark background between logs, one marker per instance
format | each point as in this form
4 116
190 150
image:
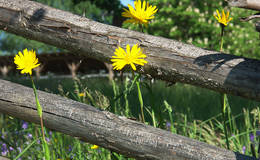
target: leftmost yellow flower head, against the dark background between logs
26 61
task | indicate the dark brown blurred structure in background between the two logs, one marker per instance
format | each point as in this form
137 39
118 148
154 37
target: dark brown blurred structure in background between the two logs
58 63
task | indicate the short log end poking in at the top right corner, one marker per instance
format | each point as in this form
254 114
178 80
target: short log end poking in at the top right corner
249 4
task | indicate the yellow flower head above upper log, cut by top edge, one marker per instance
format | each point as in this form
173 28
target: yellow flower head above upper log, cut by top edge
140 14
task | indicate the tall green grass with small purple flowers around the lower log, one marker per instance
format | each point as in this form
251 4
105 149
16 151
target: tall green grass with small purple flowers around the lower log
182 109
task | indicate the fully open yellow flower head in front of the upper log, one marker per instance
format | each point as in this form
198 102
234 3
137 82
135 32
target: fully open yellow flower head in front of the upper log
130 56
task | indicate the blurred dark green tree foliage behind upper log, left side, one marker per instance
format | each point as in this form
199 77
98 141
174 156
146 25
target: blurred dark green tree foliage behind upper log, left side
99 10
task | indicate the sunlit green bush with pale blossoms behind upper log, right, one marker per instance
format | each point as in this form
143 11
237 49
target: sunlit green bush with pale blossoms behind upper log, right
192 21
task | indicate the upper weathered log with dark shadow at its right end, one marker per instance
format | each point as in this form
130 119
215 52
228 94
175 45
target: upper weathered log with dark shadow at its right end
168 59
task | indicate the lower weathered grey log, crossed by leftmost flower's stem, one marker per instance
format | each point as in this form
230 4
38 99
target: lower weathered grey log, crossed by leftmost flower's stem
117 133
